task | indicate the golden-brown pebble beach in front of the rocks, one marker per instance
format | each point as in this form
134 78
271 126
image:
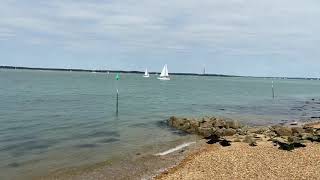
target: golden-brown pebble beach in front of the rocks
240 161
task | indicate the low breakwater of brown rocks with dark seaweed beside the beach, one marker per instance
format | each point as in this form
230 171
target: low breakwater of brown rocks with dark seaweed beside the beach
225 131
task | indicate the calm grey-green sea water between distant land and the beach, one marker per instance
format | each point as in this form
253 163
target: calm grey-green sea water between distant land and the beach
52 120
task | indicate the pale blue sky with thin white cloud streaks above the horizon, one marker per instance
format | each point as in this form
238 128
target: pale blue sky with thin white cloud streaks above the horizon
235 37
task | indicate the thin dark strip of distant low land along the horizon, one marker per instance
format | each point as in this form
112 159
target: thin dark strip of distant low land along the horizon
140 72
